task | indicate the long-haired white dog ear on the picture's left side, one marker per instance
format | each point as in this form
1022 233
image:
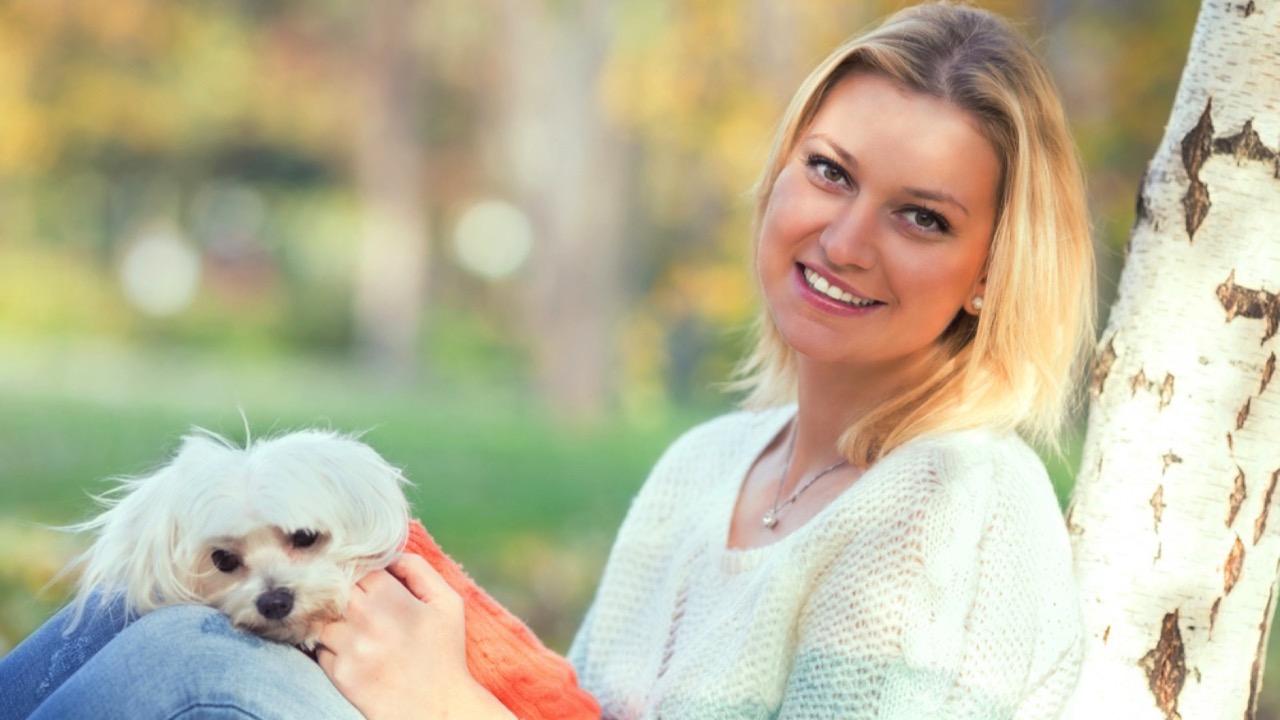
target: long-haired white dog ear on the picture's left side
141 552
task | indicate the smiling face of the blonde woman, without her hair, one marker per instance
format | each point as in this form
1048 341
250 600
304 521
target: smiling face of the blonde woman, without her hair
877 231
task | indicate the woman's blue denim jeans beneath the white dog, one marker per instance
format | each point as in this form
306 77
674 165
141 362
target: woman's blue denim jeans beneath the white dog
184 662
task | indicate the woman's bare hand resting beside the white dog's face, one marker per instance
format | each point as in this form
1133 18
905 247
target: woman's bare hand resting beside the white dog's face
401 649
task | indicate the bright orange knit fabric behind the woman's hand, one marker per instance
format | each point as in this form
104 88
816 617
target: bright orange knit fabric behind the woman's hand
504 654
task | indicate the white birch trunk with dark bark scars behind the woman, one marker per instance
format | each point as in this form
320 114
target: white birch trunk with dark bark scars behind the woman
1174 549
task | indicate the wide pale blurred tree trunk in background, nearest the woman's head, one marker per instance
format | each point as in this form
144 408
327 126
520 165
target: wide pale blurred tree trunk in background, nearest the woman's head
566 166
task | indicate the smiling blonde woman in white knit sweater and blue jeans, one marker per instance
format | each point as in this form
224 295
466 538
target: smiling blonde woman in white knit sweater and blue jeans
870 539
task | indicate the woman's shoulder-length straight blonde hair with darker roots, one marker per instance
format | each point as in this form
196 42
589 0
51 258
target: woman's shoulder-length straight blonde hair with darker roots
1016 366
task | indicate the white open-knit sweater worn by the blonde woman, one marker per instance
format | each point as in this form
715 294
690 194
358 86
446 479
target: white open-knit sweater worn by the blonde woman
938 586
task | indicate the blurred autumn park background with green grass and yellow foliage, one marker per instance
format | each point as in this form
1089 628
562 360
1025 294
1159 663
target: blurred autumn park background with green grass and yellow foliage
508 240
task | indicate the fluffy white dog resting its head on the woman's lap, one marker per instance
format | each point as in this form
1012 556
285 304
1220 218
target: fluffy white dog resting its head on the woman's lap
275 535
